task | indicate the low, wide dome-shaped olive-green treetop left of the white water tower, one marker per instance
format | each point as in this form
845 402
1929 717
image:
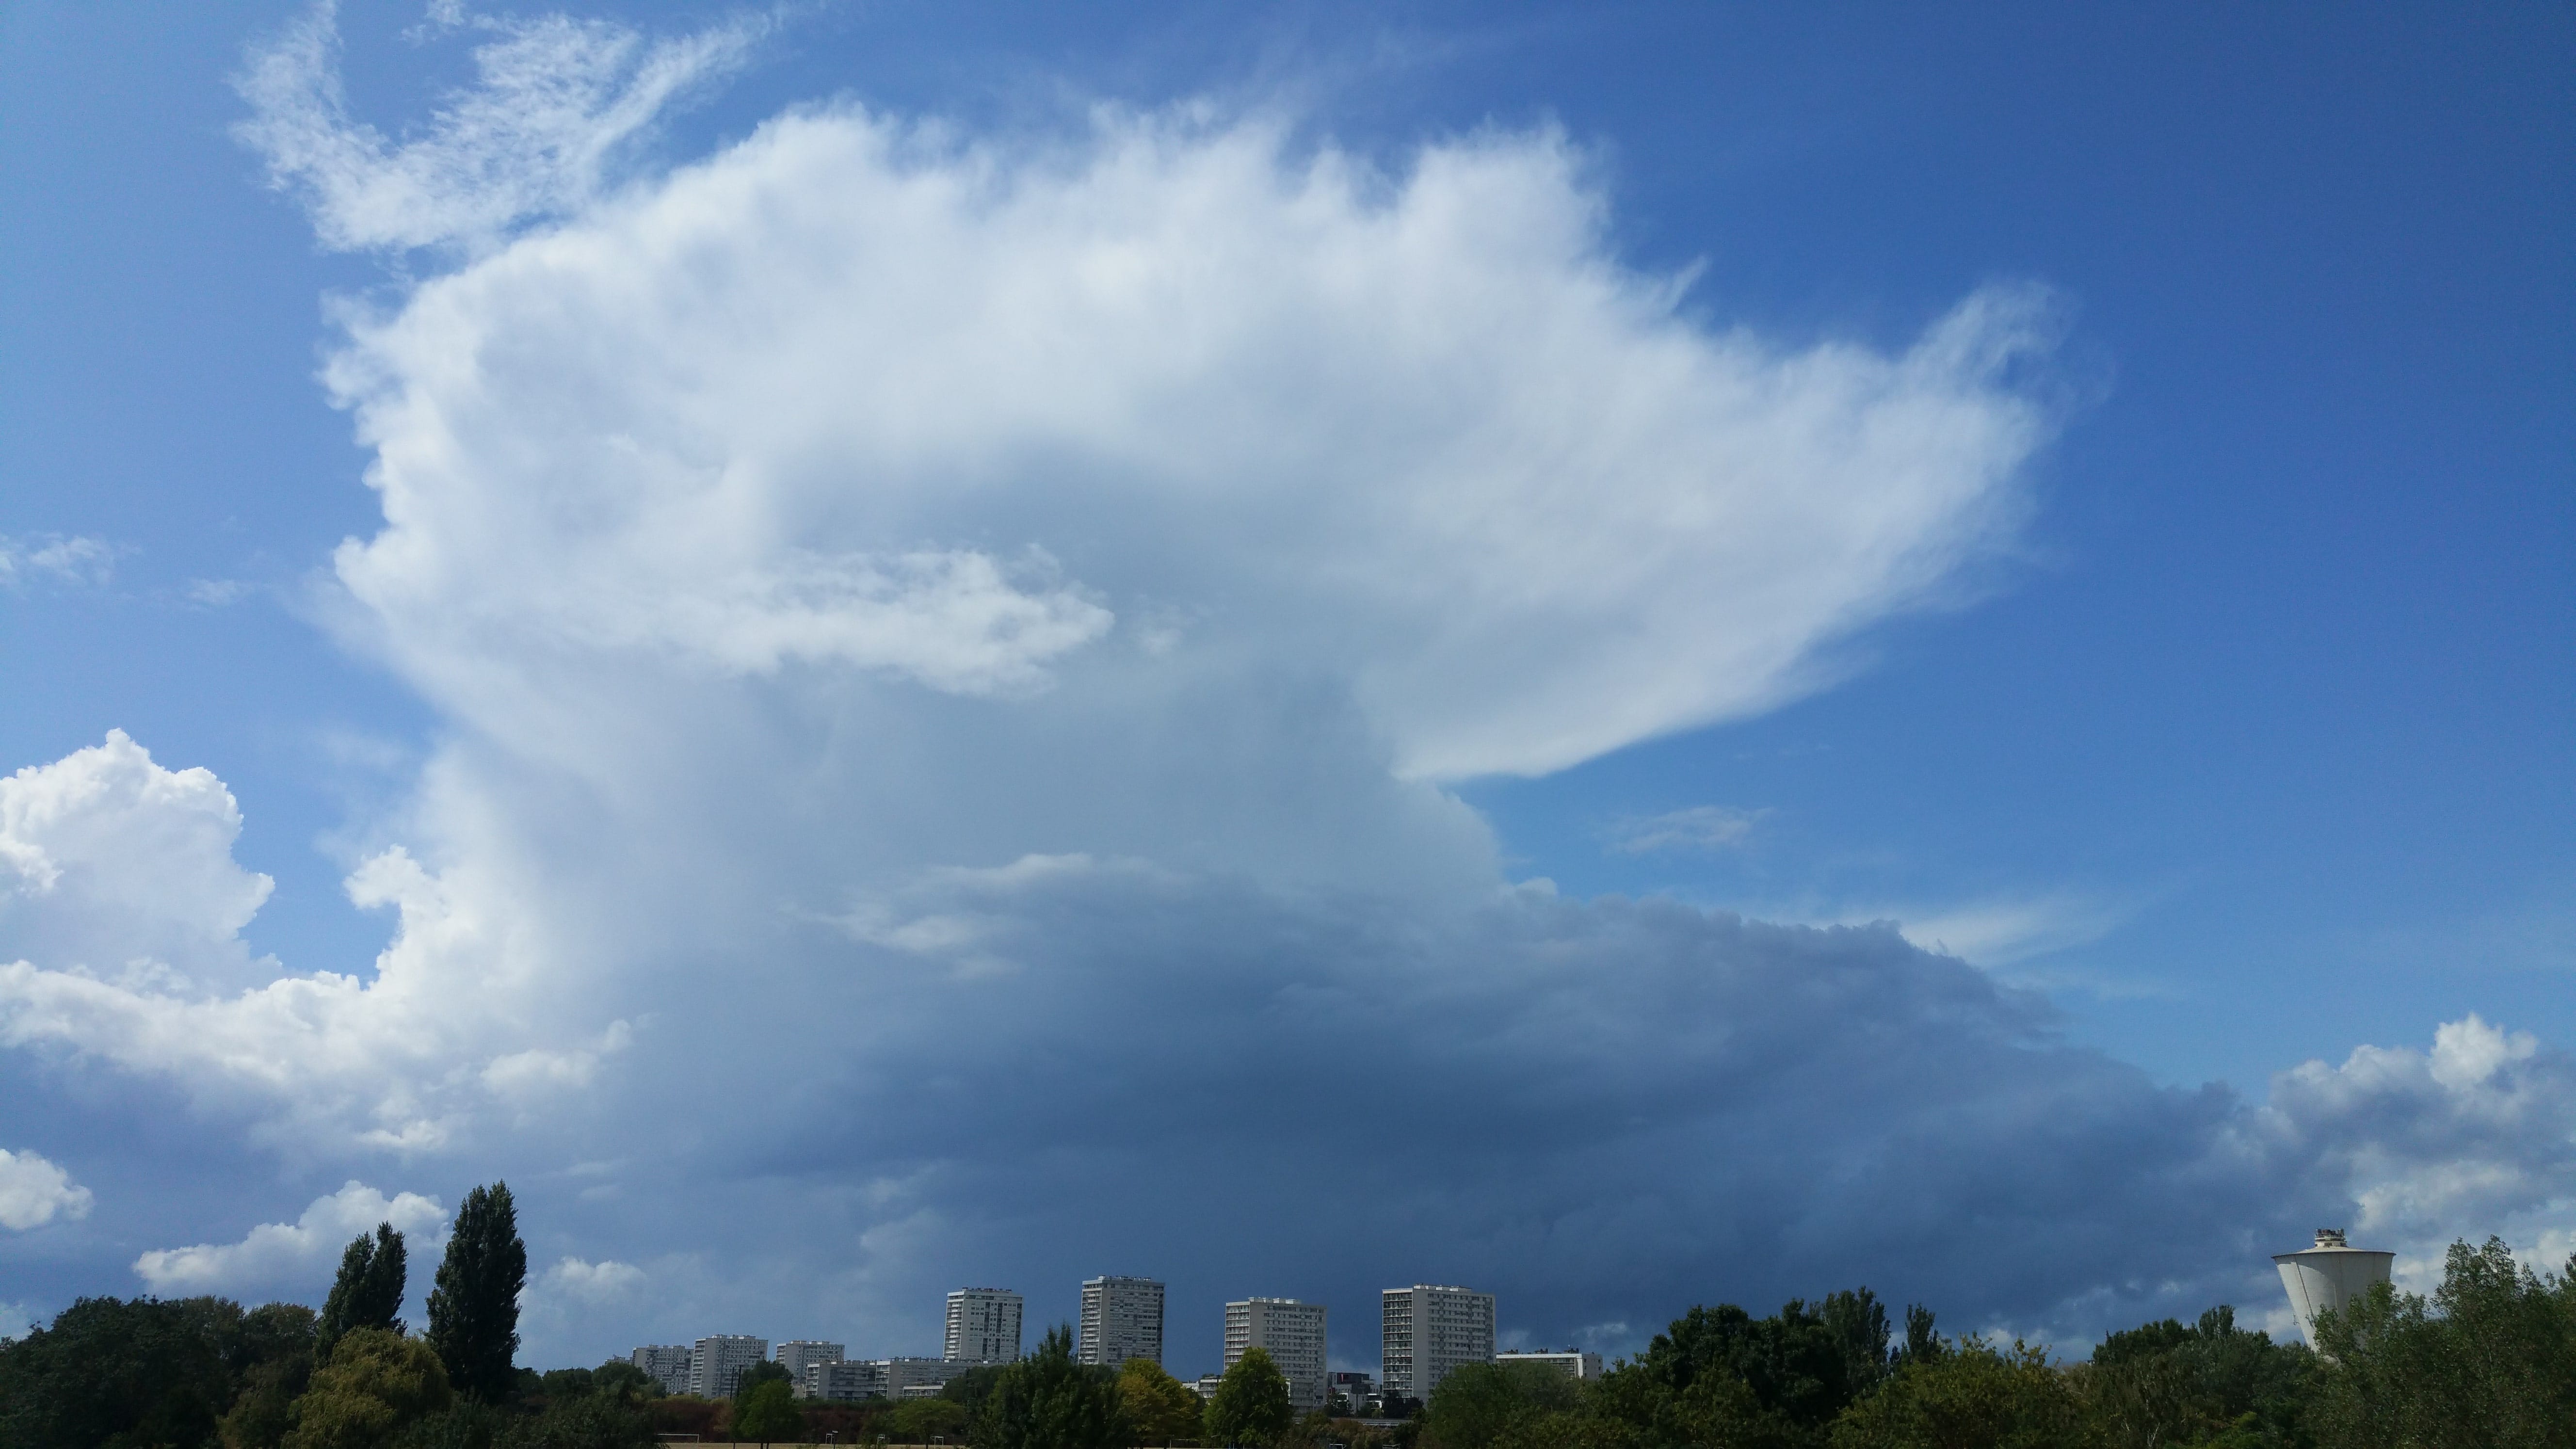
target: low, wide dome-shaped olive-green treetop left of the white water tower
1975 1396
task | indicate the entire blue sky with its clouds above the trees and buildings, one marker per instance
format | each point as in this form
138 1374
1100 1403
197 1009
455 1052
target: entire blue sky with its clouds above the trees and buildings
2209 715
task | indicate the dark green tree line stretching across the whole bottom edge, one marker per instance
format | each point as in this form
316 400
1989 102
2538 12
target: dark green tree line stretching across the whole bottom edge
2487 1363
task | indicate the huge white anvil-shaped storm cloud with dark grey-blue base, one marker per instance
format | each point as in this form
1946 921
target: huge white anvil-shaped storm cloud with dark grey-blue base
952 654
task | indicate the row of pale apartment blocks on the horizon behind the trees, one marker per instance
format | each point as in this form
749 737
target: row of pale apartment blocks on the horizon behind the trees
1426 1334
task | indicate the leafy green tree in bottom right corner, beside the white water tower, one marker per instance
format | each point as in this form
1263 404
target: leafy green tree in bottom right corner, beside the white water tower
2490 1360
